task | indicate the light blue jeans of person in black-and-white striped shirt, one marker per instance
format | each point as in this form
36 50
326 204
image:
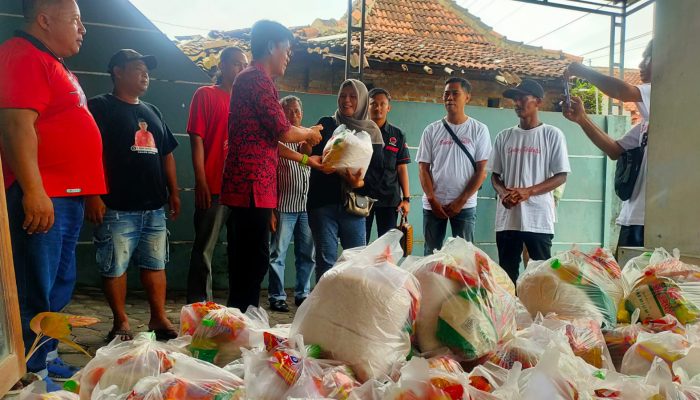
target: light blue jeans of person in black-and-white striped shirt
288 225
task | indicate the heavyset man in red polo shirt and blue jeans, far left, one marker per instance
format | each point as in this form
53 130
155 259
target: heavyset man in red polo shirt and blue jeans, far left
52 158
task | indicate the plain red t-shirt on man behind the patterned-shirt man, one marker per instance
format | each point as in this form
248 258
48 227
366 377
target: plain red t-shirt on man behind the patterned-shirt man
209 120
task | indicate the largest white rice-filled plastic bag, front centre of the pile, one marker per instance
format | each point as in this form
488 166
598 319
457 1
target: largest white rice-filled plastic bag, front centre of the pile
362 311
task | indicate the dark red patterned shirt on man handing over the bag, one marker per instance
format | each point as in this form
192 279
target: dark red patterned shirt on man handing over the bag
256 123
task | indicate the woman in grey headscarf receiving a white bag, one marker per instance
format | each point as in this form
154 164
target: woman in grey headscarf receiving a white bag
328 220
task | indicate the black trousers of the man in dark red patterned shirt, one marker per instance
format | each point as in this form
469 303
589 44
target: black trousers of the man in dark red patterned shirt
248 234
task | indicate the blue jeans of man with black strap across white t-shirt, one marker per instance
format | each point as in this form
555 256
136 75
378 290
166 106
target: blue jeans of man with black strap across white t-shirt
434 228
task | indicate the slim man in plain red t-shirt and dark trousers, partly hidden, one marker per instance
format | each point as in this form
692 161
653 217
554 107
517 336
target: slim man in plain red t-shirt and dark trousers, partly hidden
208 129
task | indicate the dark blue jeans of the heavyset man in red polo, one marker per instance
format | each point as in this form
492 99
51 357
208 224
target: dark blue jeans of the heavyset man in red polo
44 264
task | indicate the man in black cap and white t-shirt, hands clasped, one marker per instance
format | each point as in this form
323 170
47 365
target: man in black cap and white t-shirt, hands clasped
529 161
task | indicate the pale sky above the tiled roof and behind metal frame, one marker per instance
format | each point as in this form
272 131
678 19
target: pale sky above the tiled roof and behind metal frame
537 25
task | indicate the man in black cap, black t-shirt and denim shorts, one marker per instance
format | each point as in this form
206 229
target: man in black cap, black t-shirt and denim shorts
140 171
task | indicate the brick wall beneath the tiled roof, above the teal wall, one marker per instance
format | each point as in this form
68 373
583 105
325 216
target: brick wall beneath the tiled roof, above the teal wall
324 78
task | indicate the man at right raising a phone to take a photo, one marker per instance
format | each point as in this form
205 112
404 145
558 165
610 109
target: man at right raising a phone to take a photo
631 218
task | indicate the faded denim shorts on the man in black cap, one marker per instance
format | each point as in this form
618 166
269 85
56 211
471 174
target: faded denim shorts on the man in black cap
137 236
